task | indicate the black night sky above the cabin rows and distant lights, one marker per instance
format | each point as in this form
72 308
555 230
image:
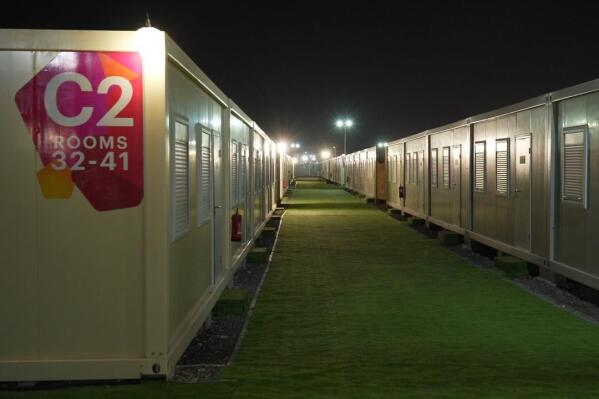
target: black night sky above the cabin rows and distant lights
396 69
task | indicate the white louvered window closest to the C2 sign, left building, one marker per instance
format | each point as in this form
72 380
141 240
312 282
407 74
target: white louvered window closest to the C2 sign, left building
181 179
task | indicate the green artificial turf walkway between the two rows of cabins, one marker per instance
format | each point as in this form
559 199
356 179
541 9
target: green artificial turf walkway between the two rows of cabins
357 304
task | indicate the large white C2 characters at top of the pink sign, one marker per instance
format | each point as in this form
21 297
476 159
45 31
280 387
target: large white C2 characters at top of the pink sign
110 119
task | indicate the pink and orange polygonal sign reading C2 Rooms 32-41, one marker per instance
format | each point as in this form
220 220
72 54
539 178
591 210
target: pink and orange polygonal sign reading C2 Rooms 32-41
84 112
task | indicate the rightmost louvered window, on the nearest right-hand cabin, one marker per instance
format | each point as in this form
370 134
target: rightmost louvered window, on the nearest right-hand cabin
574 165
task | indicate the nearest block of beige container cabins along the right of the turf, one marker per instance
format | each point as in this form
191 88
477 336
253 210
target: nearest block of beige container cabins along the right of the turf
518 179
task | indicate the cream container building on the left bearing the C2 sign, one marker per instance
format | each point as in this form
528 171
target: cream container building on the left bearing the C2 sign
121 166
